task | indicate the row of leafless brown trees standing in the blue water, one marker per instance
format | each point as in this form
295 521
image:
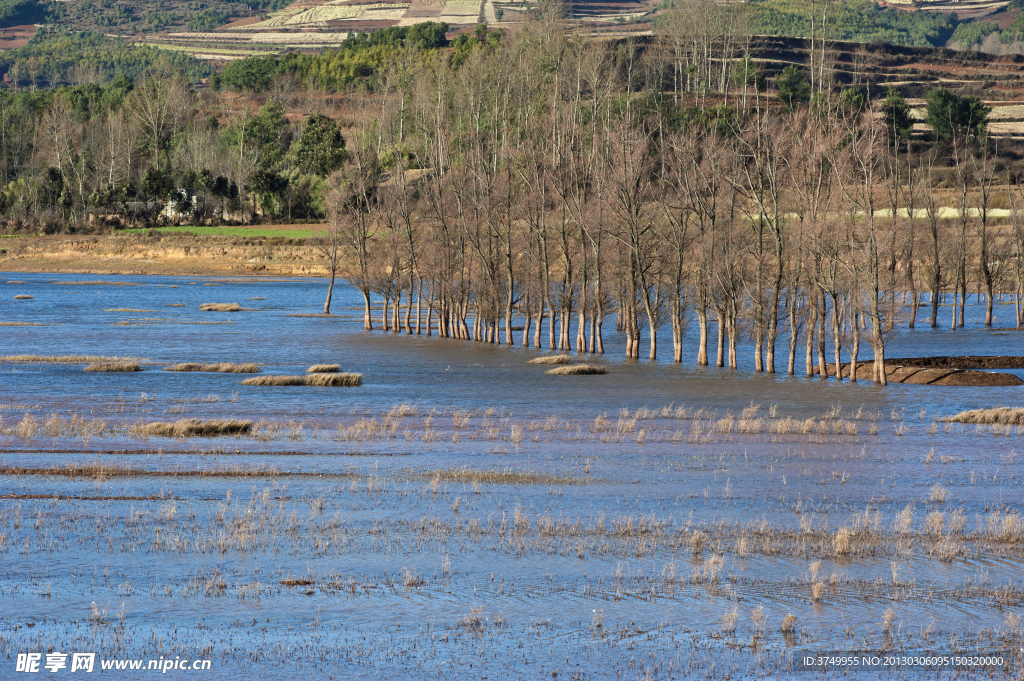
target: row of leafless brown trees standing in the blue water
540 189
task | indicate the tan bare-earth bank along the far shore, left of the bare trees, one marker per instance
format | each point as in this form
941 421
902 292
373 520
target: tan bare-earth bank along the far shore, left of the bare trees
163 254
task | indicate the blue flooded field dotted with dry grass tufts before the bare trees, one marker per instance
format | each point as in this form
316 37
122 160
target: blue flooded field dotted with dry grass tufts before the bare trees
463 515
